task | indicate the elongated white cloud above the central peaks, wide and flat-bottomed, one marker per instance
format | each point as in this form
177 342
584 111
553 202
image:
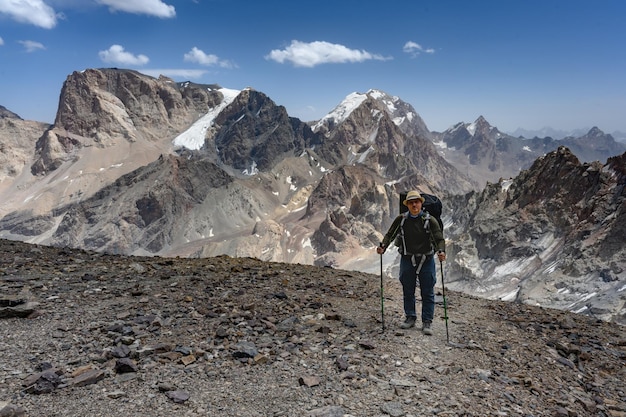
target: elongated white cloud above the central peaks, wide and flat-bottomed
302 54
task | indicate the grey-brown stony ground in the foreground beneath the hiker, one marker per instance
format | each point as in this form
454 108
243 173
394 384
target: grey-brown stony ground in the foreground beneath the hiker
87 334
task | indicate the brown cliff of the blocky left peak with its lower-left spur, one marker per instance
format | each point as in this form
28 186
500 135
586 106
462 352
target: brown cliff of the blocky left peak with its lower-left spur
101 107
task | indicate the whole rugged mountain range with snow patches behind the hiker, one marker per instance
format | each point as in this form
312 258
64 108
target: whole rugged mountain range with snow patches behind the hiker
139 165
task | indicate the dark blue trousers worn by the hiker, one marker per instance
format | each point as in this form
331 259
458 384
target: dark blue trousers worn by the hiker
427 279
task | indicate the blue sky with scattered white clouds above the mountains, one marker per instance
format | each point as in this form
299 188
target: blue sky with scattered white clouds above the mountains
526 63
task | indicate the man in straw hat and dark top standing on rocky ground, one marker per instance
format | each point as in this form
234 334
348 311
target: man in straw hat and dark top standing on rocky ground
421 237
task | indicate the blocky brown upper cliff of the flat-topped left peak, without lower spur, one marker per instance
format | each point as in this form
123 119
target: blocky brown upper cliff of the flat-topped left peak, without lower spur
124 103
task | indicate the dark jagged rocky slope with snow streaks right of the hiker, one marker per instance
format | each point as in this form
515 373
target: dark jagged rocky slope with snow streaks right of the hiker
541 241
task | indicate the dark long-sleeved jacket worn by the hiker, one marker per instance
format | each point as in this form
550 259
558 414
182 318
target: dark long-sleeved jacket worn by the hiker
417 239
